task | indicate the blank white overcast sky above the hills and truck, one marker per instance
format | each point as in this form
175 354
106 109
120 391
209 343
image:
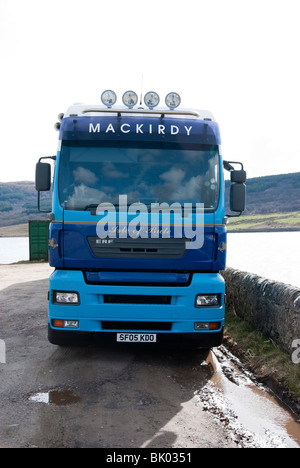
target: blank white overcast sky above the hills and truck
237 58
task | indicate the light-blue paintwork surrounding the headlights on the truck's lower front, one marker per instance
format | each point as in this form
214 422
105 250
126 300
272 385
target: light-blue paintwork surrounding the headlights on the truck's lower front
181 312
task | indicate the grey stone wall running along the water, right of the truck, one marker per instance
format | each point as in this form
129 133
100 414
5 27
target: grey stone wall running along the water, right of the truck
270 306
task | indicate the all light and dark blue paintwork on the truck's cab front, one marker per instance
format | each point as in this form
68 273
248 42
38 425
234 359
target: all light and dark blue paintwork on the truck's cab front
196 272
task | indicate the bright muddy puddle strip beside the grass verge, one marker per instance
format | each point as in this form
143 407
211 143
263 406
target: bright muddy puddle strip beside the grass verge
253 416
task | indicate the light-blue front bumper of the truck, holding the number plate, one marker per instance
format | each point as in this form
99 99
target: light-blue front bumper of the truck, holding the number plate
179 314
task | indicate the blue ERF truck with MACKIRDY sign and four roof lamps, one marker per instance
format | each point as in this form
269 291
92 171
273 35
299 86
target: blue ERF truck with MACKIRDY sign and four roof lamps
137 236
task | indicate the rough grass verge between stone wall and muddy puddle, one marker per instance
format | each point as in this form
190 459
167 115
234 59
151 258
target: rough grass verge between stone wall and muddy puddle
269 363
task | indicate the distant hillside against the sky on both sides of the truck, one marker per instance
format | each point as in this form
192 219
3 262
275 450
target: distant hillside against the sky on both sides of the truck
269 194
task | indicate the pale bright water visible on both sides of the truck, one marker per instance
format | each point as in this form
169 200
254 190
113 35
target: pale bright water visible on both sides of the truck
274 255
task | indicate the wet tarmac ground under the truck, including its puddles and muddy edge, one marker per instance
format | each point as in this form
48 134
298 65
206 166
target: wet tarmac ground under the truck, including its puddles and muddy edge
123 397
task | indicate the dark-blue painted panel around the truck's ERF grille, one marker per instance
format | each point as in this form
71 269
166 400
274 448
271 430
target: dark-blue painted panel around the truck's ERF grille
73 251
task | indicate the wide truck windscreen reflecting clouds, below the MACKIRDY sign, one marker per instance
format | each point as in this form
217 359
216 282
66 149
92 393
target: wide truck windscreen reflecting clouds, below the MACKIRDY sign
91 173
